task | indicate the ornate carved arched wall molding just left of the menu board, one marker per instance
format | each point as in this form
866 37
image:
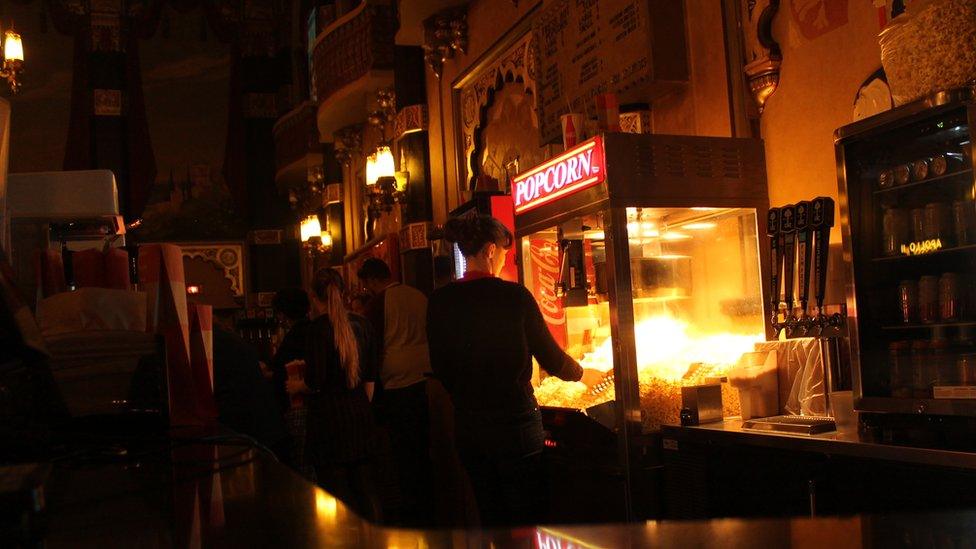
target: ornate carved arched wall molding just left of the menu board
518 63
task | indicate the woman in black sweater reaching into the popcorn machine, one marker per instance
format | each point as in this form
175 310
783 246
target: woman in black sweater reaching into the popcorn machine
483 333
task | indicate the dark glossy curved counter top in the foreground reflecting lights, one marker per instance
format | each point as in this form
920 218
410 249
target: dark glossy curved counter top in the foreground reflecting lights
218 495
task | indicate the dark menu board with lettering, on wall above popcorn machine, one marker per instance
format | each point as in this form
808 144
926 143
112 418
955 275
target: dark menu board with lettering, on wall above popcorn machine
587 47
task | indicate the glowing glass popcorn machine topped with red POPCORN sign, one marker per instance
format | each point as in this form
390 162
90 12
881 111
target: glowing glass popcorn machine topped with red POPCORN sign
647 272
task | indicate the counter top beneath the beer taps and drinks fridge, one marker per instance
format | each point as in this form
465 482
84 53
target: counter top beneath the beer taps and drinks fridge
842 443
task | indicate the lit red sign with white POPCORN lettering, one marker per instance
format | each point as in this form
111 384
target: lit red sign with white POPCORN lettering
574 170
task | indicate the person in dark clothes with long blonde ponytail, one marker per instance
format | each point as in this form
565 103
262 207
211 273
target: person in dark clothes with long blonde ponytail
341 359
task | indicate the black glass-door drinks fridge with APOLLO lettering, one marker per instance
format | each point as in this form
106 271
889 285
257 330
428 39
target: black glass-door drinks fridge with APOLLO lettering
906 179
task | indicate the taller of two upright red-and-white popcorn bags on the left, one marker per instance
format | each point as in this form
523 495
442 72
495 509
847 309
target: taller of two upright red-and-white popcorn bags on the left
161 272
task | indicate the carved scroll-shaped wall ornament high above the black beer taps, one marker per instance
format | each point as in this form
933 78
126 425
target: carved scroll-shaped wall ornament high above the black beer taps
763 56
